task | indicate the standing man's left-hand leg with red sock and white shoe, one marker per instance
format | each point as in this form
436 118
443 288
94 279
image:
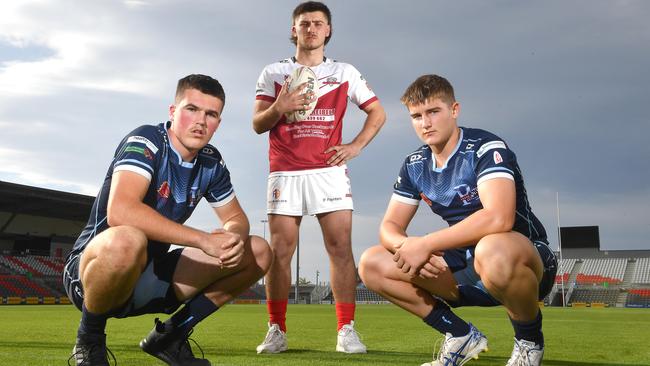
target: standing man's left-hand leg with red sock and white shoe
284 238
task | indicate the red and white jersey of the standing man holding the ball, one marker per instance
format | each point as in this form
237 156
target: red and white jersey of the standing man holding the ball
301 145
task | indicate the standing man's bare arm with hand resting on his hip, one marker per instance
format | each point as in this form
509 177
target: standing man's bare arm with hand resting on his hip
374 121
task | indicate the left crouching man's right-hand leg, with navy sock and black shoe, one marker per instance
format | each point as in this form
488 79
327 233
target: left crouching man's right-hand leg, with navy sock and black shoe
199 281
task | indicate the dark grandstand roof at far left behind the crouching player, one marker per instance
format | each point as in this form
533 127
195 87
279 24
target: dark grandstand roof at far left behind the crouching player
21 199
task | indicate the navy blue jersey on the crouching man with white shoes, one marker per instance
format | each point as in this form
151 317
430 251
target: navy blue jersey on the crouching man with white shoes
452 190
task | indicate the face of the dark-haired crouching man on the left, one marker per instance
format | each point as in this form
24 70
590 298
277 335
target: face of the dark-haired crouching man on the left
195 117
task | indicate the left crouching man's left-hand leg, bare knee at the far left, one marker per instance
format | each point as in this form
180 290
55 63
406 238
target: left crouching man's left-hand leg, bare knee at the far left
109 269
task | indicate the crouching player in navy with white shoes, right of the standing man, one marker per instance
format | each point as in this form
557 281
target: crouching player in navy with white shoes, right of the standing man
495 250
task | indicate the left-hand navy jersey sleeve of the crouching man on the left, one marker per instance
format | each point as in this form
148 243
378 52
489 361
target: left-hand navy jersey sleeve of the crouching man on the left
139 151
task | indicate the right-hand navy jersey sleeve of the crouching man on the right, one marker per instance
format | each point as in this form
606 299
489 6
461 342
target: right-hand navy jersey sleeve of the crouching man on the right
495 160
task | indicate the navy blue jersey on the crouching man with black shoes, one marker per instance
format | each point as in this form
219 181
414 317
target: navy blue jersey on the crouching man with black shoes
175 186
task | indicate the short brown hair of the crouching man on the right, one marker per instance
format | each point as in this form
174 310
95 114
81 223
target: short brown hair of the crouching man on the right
428 87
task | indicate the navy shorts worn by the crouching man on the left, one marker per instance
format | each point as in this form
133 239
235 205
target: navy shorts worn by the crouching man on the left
153 292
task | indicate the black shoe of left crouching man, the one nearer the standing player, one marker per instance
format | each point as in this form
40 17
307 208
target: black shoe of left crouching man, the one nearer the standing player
171 347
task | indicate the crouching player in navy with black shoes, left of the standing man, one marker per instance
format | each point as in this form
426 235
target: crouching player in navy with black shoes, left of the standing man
121 265
